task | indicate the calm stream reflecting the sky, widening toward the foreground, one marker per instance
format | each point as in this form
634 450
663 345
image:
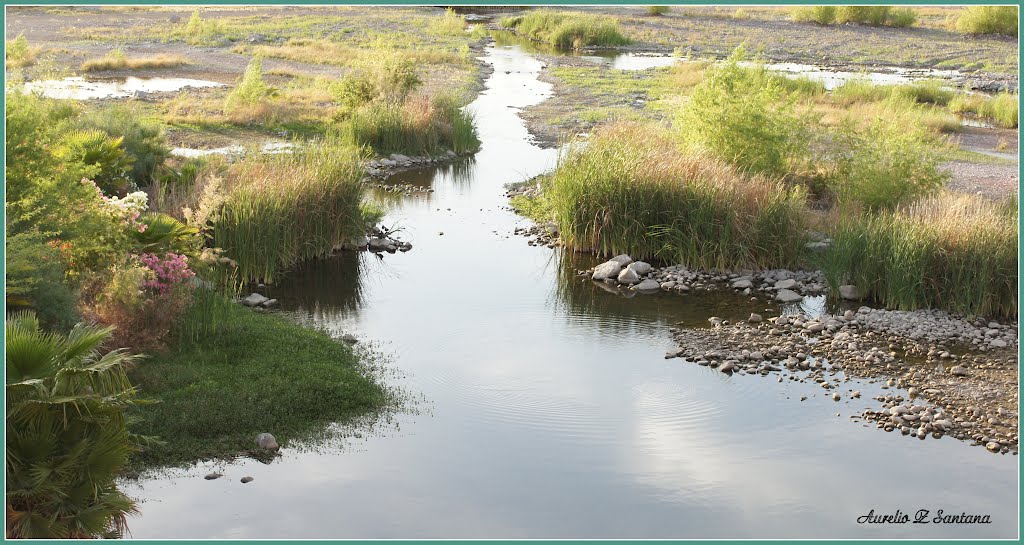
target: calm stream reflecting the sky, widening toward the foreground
548 409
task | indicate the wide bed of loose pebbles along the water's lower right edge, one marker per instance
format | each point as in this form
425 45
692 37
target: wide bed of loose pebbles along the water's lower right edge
832 351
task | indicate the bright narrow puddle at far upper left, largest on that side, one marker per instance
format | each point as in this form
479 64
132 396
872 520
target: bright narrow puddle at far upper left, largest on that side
82 90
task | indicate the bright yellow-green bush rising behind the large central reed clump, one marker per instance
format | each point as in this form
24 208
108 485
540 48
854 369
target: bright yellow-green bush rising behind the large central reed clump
745 117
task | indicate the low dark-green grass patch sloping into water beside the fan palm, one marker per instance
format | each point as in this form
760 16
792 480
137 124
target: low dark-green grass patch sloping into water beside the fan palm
259 373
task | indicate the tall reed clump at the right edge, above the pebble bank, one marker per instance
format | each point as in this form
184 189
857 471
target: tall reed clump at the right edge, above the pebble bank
954 251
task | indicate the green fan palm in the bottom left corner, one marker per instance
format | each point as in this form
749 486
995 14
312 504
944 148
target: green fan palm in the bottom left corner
67 433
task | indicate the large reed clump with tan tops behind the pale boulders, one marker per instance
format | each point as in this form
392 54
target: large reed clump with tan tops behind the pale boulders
631 191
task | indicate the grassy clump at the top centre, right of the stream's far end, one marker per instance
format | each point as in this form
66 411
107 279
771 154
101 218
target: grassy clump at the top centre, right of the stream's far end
569 30
